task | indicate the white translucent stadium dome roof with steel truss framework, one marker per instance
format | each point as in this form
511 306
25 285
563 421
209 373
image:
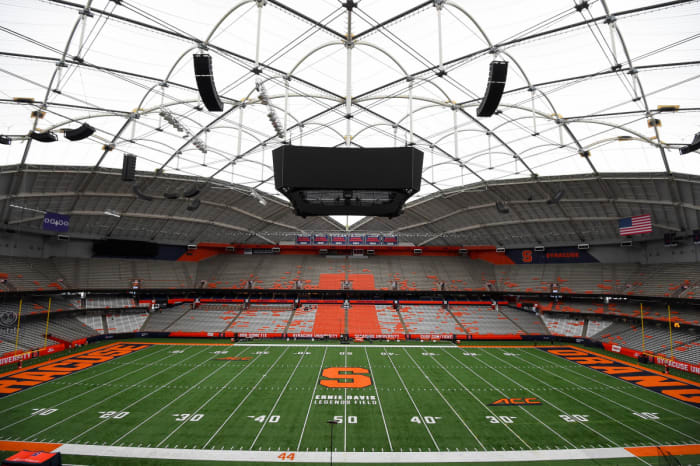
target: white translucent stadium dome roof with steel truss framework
600 96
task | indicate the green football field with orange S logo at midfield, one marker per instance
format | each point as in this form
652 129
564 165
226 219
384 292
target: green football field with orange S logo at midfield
420 403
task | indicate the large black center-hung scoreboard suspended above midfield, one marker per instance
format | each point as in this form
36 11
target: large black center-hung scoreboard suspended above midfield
347 181
